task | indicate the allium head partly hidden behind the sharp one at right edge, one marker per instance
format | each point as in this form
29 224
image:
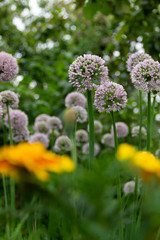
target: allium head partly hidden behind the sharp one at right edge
136 58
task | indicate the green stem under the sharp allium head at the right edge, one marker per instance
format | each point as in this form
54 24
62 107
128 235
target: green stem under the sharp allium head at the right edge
149 123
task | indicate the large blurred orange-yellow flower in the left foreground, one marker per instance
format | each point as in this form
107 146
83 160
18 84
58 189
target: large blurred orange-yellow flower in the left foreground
32 159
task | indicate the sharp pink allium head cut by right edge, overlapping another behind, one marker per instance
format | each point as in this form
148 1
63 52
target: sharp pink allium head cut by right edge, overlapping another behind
146 76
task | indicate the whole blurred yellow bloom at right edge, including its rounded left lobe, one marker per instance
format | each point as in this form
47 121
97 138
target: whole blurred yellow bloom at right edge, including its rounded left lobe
144 160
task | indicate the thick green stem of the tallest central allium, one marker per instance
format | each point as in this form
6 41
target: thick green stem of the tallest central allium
91 127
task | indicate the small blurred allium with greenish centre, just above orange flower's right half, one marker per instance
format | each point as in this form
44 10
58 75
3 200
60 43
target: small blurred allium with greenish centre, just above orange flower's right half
62 144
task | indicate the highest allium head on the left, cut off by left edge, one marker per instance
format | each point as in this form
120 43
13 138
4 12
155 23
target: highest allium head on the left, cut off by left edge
8 67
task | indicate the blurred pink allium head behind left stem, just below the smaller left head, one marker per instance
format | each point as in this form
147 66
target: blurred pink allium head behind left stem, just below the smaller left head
18 119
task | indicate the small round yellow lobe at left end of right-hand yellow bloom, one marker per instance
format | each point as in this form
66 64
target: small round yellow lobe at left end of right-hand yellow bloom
125 152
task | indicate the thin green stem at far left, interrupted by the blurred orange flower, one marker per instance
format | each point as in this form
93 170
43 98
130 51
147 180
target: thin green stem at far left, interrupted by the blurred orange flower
12 184
